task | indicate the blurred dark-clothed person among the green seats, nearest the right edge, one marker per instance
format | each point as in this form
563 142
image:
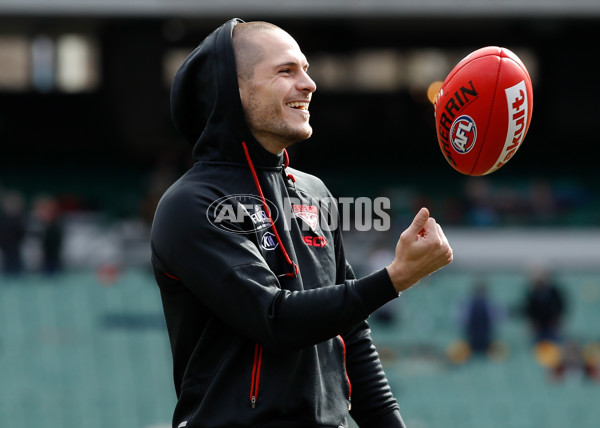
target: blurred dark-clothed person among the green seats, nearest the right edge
544 306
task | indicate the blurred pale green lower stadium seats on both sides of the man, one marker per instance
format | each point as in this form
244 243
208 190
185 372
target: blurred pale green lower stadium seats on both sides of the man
85 350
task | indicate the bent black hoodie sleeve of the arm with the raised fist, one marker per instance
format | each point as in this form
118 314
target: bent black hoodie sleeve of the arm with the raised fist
228 274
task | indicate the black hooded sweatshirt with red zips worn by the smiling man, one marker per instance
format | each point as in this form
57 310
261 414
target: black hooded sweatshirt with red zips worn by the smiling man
265 318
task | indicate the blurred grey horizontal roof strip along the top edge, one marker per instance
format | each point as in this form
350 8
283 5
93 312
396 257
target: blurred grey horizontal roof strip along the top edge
319 8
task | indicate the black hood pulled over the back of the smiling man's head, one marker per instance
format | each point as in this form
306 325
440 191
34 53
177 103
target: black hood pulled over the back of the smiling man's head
206 106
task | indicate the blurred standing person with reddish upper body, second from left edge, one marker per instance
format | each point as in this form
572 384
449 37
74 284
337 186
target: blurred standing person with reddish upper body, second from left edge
47 212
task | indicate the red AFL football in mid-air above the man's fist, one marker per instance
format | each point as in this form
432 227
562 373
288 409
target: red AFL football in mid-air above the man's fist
483 110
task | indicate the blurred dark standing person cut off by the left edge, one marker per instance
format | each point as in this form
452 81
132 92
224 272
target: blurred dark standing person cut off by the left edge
12 232
